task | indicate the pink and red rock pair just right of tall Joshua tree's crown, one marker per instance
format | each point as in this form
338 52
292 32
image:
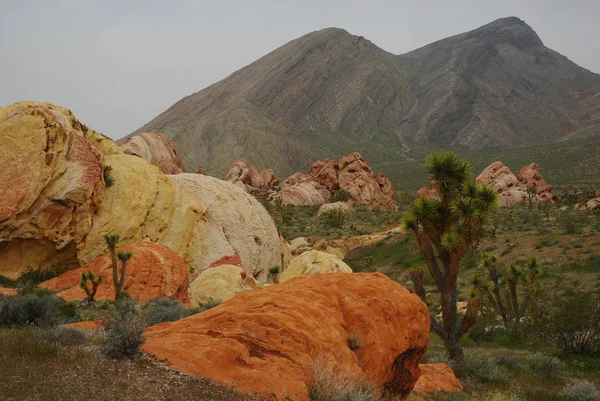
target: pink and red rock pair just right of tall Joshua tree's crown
512 189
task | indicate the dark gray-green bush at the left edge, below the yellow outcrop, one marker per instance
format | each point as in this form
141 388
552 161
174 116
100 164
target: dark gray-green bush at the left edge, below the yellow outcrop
35 307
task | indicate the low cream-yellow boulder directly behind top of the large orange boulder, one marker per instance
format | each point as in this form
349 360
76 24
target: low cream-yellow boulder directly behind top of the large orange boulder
314 262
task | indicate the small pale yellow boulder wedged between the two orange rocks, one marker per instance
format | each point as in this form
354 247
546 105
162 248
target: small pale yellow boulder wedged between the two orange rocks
221 283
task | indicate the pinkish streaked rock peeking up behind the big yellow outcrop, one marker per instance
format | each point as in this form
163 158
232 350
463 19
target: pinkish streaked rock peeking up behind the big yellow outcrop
156 149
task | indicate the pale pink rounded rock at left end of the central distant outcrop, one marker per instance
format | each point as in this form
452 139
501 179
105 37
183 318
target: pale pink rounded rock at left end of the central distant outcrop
302 190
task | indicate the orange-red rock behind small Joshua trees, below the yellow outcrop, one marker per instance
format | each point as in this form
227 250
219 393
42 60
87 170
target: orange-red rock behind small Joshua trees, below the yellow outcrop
154 270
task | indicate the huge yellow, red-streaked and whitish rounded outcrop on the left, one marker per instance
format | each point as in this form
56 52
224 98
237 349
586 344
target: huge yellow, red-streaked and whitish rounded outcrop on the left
64 186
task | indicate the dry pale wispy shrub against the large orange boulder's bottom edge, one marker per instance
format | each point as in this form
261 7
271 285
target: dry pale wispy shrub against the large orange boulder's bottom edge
329 384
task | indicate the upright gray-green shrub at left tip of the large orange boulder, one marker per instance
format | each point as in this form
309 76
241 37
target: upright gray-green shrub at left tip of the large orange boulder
125 332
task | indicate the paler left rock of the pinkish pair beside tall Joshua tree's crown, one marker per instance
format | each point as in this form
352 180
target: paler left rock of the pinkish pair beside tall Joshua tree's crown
504 182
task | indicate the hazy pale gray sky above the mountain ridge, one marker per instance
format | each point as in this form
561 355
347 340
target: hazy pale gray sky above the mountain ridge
118 64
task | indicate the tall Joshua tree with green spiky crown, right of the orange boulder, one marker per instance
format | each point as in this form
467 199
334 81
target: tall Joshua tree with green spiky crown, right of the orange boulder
445 226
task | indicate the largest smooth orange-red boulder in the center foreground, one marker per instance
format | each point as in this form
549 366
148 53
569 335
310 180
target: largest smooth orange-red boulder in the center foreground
267 341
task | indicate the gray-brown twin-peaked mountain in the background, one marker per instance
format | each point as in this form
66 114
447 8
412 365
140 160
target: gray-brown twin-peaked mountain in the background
329 93
